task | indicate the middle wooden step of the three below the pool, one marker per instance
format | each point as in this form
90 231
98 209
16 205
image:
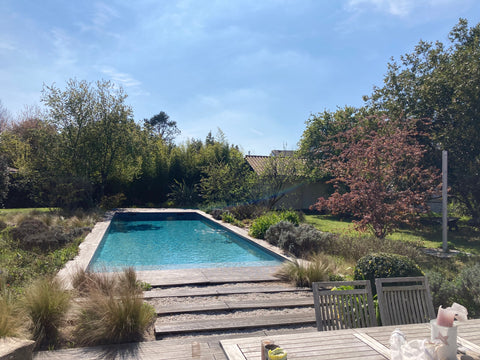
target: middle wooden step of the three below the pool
234 305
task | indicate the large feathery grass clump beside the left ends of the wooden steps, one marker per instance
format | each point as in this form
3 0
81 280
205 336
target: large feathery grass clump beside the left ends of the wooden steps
115 317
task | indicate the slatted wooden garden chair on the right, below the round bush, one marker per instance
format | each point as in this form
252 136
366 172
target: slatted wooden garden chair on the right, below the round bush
404 300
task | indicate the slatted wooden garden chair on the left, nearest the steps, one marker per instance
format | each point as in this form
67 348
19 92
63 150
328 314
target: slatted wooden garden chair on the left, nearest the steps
343 304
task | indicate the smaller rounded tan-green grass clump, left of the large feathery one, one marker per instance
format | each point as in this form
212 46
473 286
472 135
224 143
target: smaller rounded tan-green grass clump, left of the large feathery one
46 303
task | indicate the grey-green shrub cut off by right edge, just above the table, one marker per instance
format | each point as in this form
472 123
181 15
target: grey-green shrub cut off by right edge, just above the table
467 286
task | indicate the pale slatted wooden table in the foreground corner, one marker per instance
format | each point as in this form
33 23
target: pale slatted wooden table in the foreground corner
366 343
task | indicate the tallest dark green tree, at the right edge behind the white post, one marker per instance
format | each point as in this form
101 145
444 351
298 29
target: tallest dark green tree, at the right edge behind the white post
442 83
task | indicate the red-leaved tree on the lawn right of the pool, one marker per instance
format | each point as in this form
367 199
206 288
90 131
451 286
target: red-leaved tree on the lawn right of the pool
378 175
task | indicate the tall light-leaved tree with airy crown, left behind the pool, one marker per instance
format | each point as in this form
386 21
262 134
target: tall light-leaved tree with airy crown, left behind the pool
97 132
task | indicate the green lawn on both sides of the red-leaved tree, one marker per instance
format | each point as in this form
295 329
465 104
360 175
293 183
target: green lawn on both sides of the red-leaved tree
465 239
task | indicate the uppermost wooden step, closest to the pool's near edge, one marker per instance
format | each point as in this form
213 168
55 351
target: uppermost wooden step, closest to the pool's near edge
208 291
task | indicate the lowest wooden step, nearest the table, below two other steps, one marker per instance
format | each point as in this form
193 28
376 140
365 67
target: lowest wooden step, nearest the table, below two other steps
233 324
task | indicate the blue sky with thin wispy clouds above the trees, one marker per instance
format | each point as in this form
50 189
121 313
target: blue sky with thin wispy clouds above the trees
256 69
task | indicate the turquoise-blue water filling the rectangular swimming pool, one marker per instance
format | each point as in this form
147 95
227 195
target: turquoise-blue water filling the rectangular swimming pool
159 241
